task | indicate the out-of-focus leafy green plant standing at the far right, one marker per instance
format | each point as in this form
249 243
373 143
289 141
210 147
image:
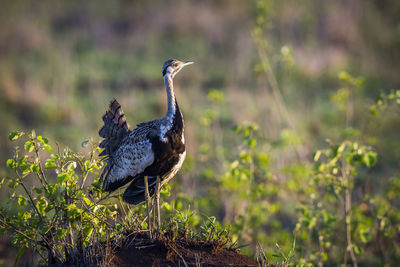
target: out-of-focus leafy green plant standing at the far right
334 179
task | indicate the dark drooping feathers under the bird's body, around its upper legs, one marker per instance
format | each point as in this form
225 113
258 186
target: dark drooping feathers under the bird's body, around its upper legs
135 193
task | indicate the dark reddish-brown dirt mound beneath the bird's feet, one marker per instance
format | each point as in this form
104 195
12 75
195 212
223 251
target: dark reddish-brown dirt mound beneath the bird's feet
142 251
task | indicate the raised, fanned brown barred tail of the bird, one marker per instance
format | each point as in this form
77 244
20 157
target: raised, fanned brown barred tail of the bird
114 129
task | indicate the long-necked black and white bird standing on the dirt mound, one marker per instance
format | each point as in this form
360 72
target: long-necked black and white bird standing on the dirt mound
147 156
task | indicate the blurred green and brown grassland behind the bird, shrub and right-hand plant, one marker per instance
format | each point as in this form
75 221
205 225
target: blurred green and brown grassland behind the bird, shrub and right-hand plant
293 73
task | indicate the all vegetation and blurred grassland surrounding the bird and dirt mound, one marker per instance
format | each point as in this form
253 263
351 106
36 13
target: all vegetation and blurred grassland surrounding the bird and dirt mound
291 122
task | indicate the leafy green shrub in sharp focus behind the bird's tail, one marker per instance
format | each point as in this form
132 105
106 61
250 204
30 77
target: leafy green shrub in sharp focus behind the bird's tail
51 206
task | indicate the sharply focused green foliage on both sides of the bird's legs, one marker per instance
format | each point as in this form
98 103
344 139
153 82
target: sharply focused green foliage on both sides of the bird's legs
56 211
